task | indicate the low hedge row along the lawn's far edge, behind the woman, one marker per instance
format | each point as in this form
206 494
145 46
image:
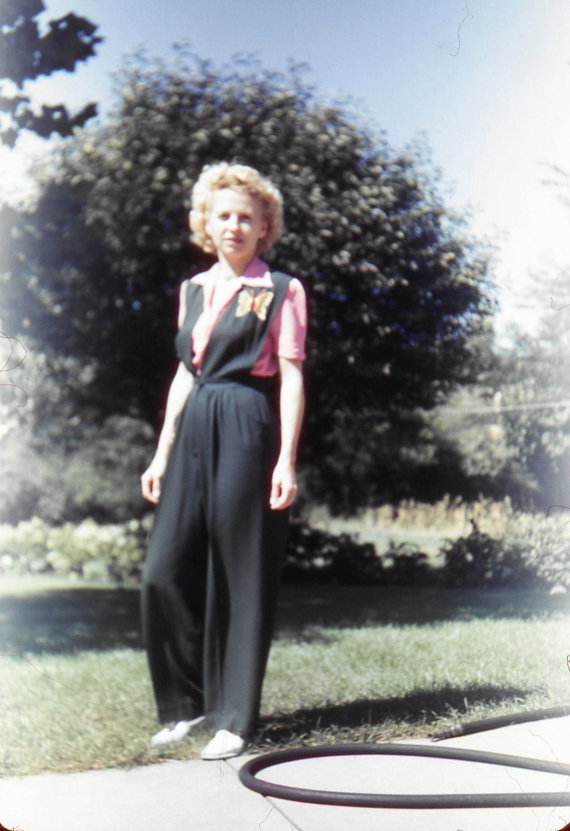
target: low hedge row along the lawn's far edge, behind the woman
534 553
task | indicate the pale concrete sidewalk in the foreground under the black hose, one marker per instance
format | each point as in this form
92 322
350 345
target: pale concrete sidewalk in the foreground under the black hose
203 796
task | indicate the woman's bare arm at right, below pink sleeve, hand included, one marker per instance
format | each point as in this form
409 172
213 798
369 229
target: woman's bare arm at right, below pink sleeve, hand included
291 408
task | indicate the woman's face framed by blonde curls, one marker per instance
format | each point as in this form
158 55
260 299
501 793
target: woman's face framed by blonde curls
235 225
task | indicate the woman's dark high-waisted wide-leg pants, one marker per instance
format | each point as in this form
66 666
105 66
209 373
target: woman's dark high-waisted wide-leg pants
212 571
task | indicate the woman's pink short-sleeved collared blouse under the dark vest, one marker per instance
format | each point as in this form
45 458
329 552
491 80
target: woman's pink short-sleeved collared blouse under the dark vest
286 338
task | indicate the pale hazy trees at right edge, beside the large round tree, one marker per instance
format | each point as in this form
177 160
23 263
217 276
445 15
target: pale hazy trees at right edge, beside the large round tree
511 429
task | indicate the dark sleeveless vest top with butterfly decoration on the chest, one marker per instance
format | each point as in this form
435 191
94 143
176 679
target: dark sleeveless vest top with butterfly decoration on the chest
238 336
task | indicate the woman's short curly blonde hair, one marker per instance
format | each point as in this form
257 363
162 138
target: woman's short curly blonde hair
244 179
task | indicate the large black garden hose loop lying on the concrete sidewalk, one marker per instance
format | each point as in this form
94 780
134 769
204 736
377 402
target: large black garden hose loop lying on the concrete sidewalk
248 778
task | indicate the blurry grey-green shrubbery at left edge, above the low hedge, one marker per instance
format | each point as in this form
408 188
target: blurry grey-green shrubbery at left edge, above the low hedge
61 462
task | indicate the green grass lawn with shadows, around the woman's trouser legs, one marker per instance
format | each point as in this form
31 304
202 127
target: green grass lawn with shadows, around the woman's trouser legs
348 664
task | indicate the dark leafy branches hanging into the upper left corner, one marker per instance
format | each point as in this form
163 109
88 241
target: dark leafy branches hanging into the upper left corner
26 53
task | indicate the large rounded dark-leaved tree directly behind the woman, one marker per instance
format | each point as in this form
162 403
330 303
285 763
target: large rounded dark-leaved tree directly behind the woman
398 294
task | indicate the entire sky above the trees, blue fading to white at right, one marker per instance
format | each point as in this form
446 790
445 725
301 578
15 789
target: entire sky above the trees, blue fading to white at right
487 82
